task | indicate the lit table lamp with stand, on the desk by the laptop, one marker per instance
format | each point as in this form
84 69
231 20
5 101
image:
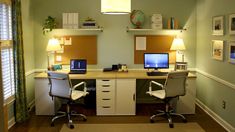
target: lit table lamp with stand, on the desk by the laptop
52 46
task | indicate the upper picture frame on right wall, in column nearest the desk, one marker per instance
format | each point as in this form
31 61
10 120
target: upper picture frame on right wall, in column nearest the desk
218 25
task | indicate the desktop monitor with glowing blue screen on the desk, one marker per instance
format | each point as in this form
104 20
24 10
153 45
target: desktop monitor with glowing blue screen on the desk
156 60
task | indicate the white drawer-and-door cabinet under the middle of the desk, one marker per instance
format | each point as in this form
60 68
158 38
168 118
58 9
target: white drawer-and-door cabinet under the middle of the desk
115 96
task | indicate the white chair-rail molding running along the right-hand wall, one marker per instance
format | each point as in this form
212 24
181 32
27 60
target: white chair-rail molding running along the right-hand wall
231 85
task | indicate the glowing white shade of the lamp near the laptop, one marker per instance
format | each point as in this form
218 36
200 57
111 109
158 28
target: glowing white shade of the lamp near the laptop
53 45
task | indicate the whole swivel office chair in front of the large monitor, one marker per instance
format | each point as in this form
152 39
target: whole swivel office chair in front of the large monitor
174 87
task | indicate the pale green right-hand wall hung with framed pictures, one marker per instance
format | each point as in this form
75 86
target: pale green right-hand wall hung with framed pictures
209 91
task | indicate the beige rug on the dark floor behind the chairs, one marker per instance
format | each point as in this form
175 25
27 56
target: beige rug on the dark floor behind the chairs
134 127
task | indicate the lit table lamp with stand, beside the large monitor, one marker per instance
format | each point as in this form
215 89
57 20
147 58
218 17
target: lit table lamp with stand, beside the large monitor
178 45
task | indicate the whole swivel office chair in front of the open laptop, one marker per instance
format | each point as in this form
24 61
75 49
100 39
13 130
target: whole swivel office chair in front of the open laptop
60 86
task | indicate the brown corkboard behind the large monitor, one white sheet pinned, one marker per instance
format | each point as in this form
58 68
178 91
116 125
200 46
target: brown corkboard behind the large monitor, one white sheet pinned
155 44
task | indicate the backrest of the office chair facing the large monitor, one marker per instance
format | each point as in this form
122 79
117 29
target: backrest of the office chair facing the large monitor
176 83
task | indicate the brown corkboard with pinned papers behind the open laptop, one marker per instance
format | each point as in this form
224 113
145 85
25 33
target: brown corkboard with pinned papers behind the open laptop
83 47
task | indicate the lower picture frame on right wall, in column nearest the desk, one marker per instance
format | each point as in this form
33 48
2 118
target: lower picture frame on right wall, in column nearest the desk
218 49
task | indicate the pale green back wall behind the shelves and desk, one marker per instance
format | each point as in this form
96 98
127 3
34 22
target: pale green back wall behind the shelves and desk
115 45
